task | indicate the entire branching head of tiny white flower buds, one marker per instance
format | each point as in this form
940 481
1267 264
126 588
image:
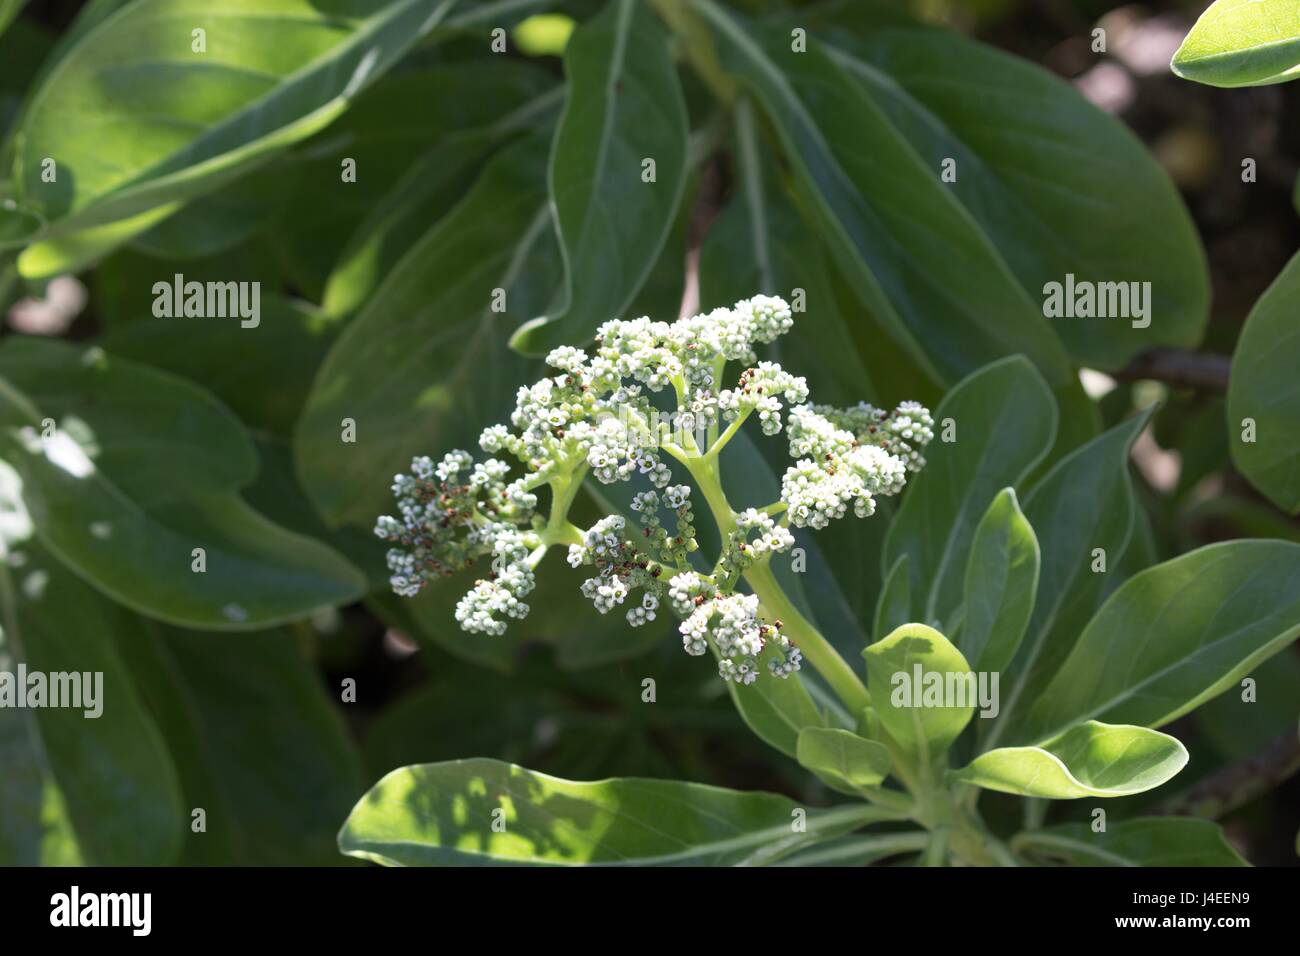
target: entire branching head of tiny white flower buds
600 416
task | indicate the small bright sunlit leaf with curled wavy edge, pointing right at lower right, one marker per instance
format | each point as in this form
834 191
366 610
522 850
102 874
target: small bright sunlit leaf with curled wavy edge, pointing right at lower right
1091 759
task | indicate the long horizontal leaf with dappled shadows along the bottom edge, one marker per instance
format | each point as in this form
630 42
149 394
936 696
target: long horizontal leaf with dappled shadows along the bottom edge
440 815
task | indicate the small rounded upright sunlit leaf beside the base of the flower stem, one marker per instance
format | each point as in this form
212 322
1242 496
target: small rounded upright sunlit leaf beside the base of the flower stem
904 672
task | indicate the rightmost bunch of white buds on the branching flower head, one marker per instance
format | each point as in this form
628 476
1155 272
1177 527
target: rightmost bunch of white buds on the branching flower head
851 457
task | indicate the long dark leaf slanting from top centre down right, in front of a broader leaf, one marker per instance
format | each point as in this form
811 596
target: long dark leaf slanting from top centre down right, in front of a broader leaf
912 253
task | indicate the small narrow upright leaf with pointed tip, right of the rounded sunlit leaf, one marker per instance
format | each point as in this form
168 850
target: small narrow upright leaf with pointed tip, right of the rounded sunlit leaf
1002 581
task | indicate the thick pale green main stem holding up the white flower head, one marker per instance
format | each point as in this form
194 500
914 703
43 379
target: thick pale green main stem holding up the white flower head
814 647
